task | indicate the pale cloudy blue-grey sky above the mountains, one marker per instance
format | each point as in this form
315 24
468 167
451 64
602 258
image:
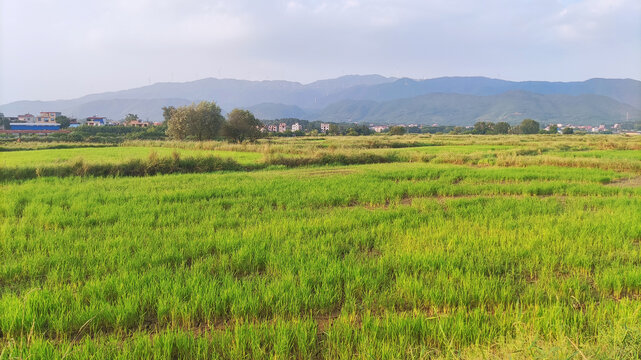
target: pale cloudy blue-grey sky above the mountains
61 49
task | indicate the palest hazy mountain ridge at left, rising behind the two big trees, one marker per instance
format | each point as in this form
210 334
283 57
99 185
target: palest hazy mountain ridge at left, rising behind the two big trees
228 94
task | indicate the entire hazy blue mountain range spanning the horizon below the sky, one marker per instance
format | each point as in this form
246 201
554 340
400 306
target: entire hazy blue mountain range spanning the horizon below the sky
373 99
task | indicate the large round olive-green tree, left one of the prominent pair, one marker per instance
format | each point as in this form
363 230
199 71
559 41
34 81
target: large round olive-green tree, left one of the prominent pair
201 121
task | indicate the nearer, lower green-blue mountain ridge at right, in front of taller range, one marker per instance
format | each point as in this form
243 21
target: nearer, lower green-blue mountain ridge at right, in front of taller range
457 109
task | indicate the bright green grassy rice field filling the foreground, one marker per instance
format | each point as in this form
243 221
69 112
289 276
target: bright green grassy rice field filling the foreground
489 247
